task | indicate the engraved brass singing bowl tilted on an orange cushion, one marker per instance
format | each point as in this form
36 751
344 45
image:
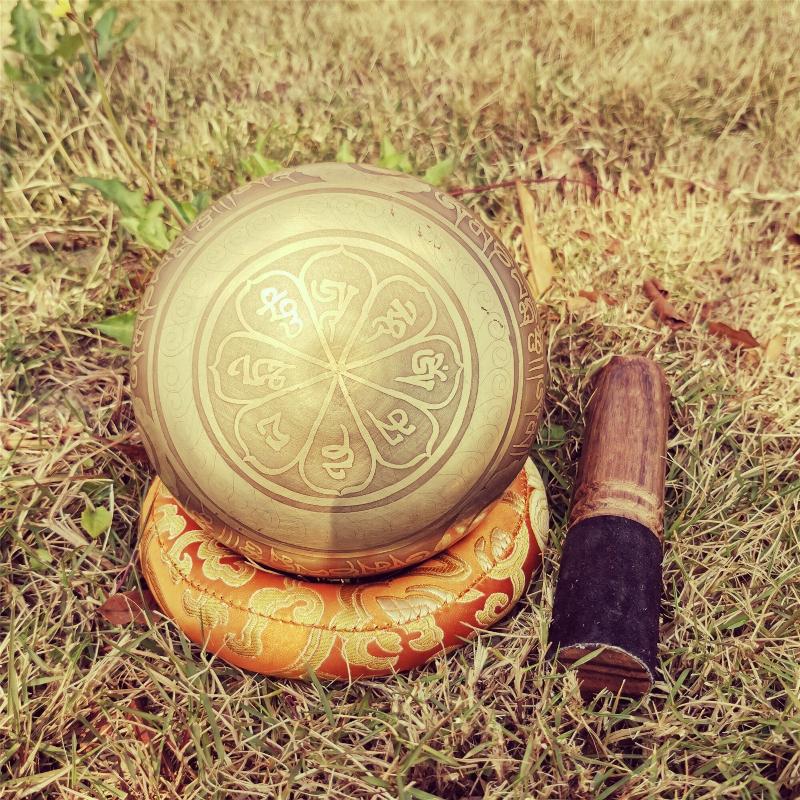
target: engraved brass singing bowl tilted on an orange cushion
335 365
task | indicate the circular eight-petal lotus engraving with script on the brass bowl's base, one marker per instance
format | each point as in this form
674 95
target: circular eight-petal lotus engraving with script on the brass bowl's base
335 375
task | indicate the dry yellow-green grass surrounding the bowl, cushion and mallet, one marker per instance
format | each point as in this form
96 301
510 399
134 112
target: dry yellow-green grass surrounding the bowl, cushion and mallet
689 113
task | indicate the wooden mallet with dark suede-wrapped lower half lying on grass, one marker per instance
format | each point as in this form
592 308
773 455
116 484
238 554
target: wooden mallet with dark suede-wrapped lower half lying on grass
605 613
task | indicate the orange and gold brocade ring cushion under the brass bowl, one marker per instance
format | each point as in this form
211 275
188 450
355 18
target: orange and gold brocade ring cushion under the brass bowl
272 623
